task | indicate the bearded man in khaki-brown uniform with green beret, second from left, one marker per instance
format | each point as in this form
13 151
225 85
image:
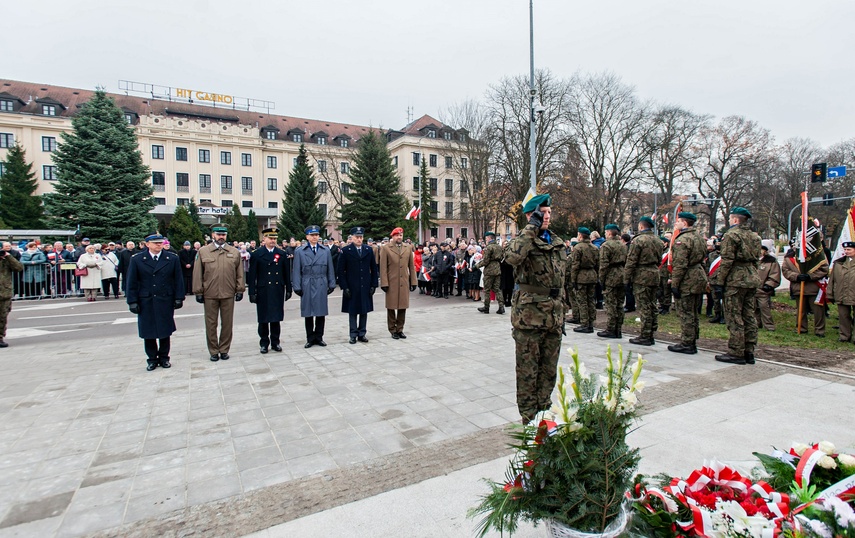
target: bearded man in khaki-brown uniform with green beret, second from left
218 282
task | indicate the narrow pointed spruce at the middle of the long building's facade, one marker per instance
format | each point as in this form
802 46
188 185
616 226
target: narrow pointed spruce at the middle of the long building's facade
300 204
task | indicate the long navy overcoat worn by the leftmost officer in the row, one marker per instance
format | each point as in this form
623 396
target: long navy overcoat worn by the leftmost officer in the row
155 288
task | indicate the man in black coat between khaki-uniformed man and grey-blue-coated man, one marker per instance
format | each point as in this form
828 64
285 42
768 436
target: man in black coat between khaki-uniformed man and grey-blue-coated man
269 283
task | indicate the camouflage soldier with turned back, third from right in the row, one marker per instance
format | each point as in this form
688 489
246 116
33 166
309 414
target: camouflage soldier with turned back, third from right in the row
642 272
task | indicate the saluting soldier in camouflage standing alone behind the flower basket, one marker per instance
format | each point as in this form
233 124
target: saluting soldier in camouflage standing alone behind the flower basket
537 316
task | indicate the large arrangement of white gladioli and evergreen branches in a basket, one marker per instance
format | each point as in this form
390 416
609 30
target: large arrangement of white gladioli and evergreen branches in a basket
572 464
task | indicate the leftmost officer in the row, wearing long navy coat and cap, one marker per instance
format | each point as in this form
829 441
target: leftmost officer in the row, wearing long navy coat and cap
155 290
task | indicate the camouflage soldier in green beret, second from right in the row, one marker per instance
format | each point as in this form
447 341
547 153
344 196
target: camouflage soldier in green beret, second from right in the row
688 280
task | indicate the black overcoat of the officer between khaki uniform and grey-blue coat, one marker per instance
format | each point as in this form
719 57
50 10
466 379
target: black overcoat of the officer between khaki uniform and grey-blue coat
269 277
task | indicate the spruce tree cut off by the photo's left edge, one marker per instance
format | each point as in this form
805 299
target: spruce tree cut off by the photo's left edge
20 208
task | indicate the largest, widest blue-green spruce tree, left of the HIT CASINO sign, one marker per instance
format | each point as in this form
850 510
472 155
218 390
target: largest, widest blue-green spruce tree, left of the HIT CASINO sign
102 184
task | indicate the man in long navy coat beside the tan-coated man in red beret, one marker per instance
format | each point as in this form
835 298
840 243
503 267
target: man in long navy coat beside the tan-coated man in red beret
357 274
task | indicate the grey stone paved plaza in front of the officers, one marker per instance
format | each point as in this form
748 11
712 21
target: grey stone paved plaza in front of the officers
348 440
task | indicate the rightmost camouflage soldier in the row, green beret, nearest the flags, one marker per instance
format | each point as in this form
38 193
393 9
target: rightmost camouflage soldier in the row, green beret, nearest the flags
737 281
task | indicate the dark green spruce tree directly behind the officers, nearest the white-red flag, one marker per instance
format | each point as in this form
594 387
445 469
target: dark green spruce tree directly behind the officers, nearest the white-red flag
374 201
